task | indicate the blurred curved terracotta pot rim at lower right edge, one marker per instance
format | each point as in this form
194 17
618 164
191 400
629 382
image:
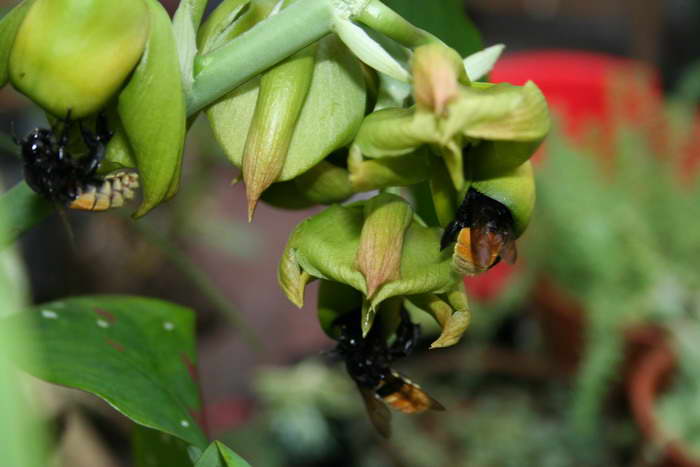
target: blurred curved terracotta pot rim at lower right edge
647 379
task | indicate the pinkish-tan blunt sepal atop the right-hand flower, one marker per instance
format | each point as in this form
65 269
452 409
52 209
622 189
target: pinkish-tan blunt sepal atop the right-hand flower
437 72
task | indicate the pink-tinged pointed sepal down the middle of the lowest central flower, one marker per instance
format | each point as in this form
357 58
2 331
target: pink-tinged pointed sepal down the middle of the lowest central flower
381 241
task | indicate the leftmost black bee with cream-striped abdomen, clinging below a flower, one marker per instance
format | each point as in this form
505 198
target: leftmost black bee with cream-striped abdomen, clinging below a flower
51 171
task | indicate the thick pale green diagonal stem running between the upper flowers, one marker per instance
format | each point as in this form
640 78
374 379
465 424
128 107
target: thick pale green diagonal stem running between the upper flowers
267 43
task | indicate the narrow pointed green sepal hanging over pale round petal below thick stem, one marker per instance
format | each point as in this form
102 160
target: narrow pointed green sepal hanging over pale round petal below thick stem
281 96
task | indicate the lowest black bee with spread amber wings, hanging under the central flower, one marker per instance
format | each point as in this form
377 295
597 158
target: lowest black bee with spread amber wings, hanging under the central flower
368 362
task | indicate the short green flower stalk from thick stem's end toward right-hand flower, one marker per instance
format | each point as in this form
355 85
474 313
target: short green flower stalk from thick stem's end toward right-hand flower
383 19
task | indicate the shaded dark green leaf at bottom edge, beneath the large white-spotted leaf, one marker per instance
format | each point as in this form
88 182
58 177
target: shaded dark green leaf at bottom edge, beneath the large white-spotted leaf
152 448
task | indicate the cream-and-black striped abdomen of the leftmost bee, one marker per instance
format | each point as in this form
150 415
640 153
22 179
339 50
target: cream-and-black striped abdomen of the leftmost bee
115 189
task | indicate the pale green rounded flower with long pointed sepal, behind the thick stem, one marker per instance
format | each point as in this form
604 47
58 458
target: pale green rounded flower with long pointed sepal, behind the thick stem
281 125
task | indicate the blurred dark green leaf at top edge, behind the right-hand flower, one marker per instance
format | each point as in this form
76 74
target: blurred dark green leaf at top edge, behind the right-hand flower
444 18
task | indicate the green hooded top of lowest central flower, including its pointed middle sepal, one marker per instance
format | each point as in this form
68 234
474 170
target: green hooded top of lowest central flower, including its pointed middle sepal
342 244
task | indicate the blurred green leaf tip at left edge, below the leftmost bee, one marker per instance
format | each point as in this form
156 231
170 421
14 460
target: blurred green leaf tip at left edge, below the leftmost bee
21 209
